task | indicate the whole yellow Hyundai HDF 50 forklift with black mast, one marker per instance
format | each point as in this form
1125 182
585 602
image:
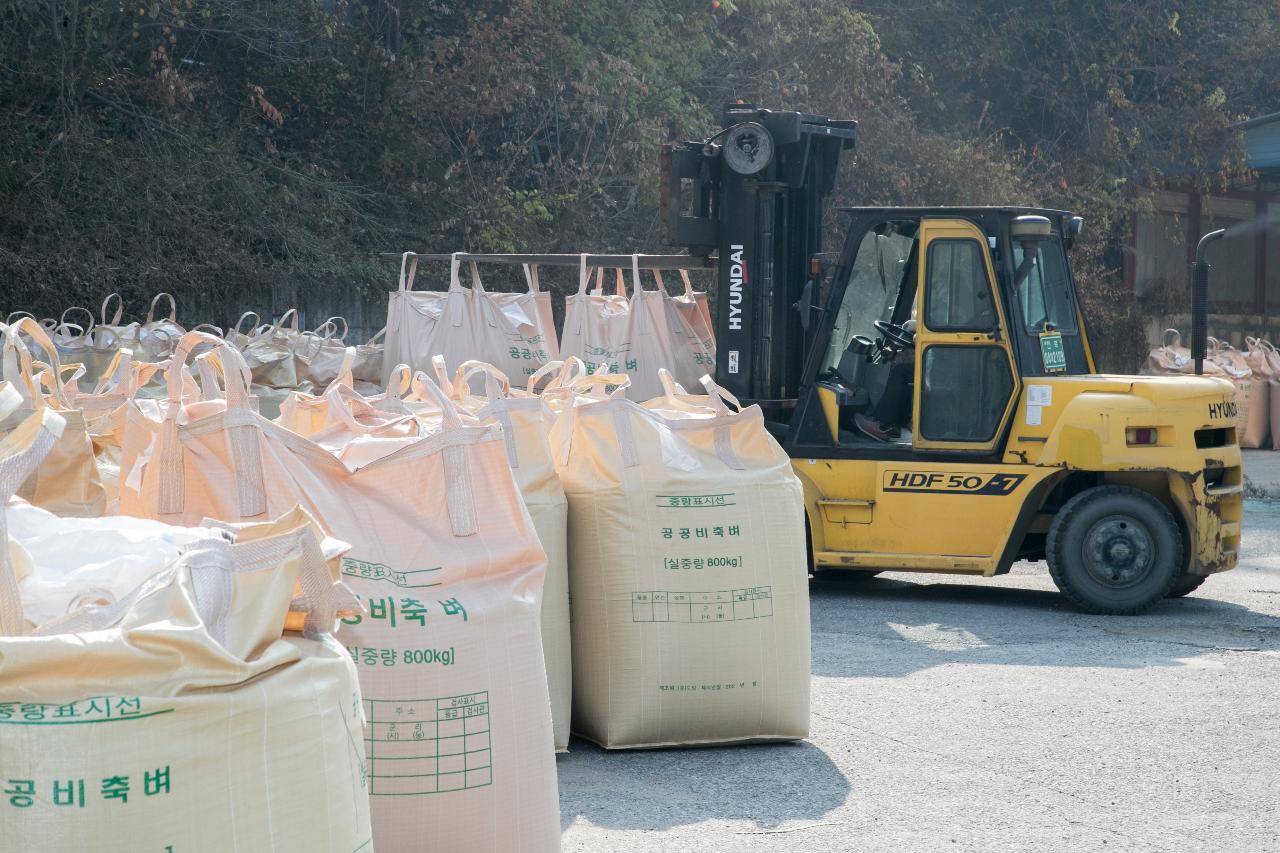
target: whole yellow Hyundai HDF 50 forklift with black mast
935 386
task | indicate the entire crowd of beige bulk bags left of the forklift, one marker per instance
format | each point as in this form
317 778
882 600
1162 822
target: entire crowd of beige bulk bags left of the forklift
374 583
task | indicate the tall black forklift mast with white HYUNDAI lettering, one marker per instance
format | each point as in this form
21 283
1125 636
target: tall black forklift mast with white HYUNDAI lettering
756 194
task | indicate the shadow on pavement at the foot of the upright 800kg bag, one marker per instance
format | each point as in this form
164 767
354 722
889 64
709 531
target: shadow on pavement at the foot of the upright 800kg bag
657 790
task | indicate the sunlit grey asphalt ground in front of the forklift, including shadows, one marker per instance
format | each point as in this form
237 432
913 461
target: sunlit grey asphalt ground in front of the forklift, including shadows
954 714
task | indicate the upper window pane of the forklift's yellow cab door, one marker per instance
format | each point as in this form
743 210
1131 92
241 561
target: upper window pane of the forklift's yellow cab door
958 297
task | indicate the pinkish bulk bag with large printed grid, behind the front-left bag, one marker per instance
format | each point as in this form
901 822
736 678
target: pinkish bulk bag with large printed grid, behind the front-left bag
449 565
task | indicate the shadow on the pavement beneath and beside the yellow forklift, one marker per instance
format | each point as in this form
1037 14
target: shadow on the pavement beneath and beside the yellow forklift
890 628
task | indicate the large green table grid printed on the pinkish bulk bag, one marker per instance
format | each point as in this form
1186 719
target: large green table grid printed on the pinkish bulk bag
428 746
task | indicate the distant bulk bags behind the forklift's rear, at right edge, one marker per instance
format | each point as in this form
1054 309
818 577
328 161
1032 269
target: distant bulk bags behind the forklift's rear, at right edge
1255 373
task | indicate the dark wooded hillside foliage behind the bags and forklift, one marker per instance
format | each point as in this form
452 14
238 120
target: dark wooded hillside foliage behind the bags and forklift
244 150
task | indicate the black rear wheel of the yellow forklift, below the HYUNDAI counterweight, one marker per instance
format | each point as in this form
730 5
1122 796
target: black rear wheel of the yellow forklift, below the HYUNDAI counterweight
1114 550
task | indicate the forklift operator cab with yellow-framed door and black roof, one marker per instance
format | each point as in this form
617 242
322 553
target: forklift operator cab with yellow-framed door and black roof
930 322
